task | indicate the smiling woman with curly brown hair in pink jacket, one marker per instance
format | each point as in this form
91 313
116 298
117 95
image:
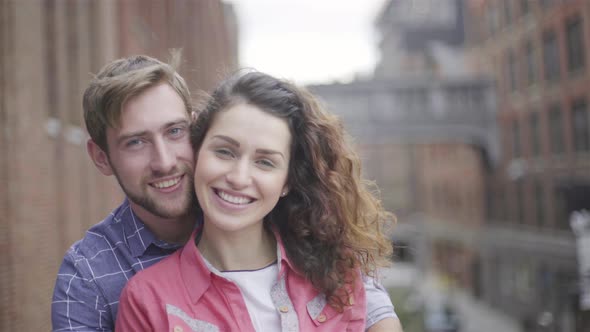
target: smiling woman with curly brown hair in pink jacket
289 227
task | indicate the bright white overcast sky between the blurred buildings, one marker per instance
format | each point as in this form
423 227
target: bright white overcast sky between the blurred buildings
309 41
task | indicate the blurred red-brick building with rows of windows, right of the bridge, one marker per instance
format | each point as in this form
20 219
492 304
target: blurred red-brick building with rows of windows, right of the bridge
538 53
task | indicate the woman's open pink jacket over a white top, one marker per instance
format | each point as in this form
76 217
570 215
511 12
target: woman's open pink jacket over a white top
180 293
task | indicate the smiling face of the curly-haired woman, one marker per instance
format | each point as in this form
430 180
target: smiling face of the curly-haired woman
242 167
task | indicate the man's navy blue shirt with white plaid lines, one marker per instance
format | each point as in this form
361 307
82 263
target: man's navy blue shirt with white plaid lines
96 268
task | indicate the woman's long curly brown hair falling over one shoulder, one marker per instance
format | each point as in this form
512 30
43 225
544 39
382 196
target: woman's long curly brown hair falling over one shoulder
330 222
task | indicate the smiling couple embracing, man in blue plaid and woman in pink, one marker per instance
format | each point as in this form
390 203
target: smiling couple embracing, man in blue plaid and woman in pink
281 238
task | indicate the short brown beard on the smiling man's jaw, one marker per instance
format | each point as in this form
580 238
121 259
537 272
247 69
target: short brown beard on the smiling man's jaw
149 204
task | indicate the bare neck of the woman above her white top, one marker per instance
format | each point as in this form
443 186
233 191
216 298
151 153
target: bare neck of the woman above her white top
241 250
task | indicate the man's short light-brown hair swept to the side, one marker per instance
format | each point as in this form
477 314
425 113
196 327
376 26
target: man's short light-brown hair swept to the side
121 80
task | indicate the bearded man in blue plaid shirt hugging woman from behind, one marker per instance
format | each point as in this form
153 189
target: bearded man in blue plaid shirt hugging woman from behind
137 112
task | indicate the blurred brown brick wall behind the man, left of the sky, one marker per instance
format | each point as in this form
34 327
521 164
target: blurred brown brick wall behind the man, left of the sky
50 191
